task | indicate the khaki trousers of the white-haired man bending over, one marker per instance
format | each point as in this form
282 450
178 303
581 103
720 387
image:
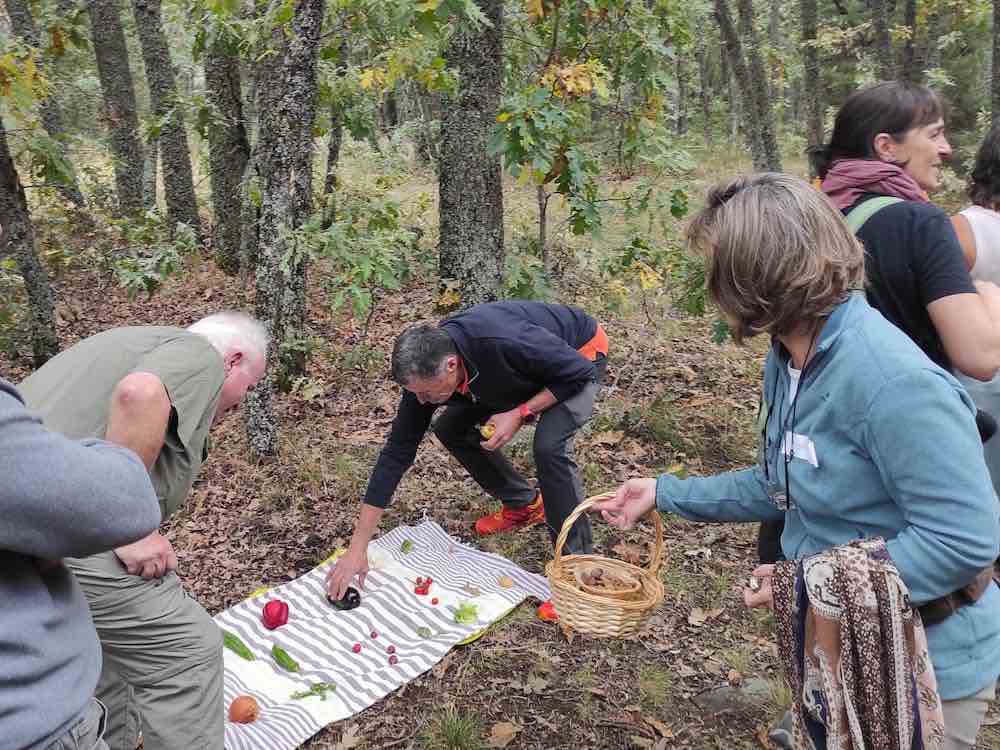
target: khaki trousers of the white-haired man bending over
162 671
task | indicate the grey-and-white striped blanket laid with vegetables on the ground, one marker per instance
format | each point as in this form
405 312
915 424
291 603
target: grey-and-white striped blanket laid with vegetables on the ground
322 639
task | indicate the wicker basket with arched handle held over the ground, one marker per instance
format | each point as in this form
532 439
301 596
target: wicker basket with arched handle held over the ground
588 609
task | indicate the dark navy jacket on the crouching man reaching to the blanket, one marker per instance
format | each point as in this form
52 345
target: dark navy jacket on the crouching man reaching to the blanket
511 351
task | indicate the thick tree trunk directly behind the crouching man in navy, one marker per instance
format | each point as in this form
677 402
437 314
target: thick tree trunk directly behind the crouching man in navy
471 248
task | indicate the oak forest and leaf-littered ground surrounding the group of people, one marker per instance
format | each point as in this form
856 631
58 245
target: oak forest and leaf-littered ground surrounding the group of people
342 168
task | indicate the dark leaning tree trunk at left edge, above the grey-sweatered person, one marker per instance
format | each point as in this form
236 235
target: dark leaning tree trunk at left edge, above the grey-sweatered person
18 241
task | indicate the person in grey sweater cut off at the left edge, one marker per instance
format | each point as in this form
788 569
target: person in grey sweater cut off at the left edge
58 498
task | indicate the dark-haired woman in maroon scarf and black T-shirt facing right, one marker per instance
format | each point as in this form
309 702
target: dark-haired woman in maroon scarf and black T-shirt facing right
888 140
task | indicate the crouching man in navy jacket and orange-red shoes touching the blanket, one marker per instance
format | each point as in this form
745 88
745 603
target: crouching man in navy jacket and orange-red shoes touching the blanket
505 364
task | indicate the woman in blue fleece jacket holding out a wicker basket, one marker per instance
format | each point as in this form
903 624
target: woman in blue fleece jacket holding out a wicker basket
861 435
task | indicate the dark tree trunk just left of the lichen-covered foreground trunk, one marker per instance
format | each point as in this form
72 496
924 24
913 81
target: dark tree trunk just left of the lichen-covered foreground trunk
229 152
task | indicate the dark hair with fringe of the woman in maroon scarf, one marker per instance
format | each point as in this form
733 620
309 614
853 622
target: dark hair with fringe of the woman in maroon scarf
892 107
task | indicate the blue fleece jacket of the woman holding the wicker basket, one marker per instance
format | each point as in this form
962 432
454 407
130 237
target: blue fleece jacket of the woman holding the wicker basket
884 444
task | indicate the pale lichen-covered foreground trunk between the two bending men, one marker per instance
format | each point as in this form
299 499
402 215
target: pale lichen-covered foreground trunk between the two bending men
286 105
